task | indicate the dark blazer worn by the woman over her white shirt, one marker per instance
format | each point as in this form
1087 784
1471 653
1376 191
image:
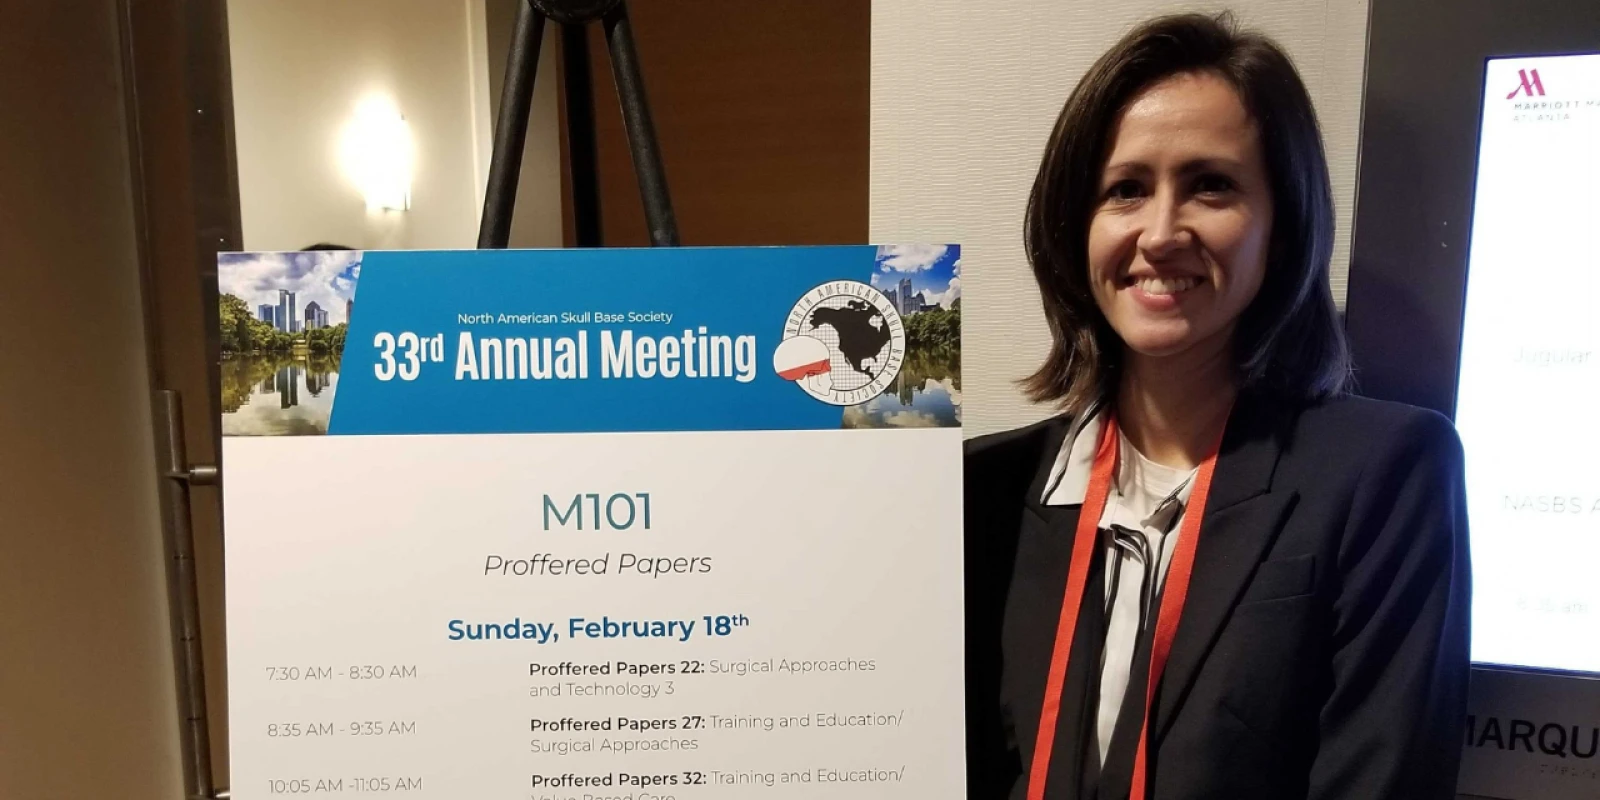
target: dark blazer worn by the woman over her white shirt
1322 652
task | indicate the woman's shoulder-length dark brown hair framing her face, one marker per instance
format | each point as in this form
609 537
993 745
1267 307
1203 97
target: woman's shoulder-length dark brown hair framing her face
1289 340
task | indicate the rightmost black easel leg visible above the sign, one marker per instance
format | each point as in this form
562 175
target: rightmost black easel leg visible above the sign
641 130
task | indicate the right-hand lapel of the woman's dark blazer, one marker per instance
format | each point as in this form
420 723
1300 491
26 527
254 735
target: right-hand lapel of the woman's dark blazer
1242 519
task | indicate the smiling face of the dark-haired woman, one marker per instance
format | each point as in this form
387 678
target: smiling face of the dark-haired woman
1178 241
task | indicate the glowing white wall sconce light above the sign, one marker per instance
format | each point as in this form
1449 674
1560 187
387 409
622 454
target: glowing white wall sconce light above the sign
378 154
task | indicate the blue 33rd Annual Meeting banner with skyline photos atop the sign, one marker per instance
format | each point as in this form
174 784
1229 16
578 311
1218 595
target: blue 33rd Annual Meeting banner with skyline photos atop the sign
590 340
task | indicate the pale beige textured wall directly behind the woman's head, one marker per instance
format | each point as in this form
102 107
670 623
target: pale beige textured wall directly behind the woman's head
964 97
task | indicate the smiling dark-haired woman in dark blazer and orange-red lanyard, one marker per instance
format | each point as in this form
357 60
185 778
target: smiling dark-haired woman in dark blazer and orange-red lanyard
1310 638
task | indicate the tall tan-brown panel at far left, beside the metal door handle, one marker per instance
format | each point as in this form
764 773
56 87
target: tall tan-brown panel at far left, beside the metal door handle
87 700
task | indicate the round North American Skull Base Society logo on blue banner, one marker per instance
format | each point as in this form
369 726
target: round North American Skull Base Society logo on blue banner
844 343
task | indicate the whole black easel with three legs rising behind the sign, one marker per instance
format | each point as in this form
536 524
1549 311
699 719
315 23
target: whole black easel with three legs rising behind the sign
511 129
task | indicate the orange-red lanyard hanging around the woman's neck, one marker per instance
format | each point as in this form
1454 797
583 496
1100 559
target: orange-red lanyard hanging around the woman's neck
1167 617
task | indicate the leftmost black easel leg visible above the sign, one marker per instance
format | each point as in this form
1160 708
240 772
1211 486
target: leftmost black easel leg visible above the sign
511 129
